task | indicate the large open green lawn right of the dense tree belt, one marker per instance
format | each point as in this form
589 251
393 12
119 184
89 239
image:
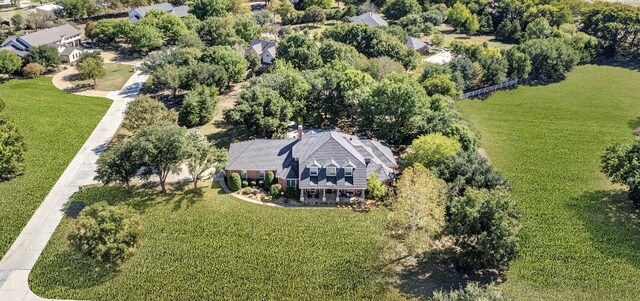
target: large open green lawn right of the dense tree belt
580 237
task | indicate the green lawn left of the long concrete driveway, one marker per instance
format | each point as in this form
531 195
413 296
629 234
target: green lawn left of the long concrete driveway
55 125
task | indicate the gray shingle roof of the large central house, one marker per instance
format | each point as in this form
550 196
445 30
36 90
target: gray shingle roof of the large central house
291 158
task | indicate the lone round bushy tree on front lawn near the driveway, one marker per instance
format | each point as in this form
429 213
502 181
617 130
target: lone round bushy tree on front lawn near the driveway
108 234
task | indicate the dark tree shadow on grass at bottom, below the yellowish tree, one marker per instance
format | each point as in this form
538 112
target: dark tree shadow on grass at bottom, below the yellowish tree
436 272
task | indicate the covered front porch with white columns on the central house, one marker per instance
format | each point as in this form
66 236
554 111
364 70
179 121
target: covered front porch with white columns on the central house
320 196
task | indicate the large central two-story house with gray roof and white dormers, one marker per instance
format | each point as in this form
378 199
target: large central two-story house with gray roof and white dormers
327 167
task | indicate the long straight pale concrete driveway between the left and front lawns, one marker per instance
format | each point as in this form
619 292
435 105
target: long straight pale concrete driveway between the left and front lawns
23 254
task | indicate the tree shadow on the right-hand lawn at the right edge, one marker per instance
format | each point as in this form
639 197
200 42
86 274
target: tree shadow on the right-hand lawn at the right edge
613 222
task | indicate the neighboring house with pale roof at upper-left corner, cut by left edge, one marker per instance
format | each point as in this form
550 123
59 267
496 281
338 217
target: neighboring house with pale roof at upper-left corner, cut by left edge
61 37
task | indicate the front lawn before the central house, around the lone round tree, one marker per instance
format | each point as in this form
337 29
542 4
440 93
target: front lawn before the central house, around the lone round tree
218 247
